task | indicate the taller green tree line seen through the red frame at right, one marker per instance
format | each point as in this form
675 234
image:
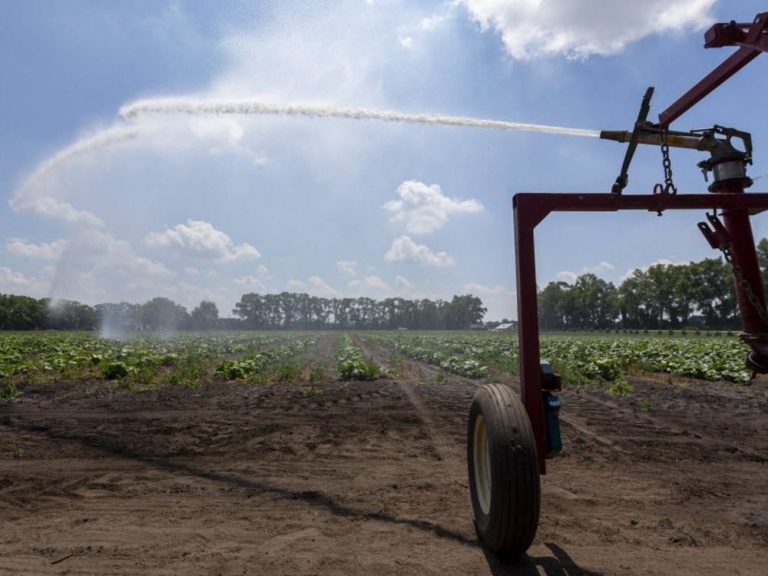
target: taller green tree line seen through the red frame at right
663 296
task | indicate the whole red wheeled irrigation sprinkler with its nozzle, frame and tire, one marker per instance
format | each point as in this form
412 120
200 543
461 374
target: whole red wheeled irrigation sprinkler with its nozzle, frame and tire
510 438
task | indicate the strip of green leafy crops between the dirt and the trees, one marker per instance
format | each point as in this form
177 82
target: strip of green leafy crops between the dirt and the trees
192 359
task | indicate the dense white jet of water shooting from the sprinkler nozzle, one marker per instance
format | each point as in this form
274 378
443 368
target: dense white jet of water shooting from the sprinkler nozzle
214 107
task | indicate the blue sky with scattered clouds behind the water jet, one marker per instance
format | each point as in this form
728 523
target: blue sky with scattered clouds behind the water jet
97 208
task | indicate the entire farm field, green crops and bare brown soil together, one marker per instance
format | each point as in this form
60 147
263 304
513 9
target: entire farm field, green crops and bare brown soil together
344 453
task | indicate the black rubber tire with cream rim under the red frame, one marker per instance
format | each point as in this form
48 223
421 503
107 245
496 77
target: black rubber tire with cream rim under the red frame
508 523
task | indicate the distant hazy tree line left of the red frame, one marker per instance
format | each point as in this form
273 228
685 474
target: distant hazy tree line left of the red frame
286 310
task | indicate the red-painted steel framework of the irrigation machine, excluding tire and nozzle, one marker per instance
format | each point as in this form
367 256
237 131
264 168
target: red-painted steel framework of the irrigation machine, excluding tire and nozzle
728 196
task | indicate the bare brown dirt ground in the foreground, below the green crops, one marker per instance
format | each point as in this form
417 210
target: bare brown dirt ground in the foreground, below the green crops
370 478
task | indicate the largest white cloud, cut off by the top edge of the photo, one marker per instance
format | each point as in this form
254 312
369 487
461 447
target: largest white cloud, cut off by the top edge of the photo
580 28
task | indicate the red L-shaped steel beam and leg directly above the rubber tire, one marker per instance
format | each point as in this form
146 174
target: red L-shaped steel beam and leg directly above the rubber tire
531 208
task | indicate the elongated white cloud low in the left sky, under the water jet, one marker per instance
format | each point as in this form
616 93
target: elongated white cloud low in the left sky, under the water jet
199 239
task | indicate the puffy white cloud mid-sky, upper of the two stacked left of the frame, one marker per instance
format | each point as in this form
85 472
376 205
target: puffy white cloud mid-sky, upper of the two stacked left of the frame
424 209
